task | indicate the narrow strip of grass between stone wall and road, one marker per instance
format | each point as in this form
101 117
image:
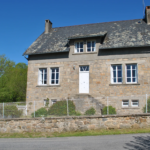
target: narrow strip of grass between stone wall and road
71 134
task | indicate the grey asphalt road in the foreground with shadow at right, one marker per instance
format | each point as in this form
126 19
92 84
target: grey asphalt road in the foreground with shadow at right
107 142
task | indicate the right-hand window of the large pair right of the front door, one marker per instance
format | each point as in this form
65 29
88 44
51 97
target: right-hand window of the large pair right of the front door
131 73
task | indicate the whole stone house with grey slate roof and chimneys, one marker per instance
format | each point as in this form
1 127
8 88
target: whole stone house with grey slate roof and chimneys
92 63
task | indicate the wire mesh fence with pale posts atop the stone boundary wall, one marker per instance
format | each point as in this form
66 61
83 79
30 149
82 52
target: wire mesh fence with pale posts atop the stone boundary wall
112 105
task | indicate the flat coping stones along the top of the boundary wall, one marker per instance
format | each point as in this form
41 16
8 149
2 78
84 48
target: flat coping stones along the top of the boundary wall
78 117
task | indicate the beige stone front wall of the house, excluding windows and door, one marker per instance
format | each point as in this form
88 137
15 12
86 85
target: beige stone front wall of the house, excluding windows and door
101 91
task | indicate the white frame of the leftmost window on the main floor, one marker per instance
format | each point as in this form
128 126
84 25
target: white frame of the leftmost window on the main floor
41 81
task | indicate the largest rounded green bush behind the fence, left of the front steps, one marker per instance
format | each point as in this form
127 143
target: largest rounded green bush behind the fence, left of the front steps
60 108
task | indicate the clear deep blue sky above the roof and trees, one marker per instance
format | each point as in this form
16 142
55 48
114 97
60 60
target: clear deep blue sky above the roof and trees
23 21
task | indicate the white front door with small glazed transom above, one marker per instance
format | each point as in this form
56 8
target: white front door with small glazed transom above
84 79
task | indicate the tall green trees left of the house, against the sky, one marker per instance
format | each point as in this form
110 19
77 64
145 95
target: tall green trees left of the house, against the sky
13 79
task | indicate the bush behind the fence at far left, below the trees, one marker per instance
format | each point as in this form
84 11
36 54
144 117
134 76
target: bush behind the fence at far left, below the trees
12 111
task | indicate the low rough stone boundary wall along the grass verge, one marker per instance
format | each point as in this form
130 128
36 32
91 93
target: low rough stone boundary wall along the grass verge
64 124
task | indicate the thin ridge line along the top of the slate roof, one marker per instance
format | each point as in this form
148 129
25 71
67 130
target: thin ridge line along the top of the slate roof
97 23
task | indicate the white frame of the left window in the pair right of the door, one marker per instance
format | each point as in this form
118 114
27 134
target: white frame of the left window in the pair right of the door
112 81
